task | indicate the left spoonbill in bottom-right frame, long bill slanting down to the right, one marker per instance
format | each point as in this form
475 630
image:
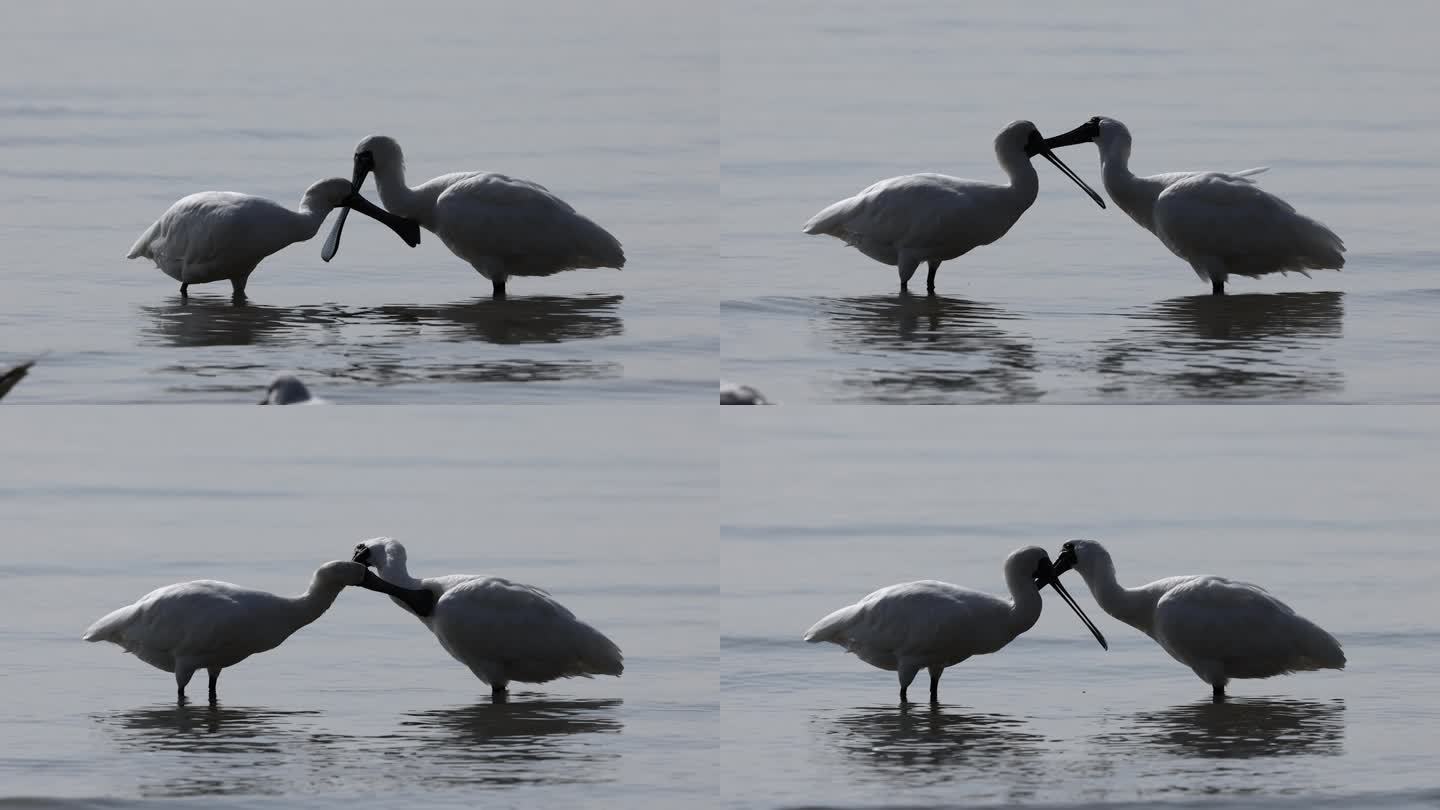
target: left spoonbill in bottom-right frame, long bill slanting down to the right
932 625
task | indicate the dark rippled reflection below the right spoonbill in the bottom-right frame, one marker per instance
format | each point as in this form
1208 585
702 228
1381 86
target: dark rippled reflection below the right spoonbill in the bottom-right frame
1238 729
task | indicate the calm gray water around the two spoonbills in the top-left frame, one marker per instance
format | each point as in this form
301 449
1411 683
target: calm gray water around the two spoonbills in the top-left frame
110 115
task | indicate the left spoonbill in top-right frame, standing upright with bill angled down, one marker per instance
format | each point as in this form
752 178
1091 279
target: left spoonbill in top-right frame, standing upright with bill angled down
935 218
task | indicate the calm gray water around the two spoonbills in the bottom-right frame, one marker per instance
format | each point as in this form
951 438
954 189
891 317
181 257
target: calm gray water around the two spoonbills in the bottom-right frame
1330 511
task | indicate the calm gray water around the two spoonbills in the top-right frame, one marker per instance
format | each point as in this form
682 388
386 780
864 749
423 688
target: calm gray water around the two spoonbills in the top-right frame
1079 305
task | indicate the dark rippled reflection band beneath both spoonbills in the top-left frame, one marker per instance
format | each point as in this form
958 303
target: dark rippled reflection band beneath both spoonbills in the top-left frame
539 319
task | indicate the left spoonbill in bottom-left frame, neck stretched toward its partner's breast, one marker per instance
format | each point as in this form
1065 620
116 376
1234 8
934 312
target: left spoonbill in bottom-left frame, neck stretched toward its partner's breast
208 625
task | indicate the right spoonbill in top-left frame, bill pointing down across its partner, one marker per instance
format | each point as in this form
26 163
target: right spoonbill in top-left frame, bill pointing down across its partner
500 226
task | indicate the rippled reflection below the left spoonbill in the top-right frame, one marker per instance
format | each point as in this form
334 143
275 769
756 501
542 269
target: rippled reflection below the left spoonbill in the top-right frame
931 350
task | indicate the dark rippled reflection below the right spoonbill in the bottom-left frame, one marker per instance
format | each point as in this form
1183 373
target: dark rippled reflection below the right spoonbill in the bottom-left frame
522 742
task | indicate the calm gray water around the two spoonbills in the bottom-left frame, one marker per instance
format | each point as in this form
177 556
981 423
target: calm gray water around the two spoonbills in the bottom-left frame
362 708
